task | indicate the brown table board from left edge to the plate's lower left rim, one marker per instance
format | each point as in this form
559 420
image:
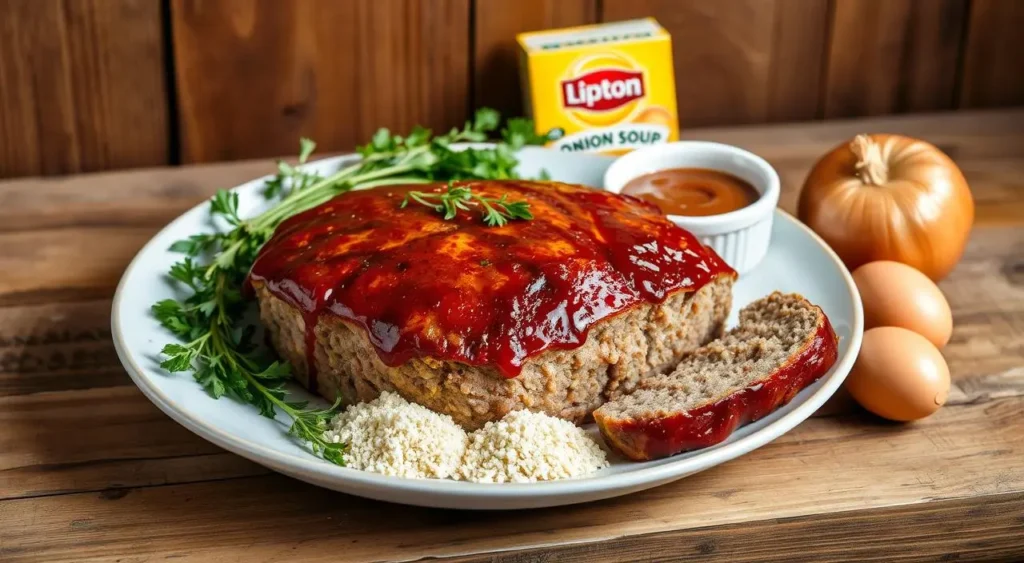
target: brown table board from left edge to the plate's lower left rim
140 446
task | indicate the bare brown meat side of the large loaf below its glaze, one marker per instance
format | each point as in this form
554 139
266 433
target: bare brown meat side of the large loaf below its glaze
569 384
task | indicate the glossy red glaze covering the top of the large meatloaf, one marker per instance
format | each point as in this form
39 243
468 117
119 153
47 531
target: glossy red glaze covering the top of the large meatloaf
458 290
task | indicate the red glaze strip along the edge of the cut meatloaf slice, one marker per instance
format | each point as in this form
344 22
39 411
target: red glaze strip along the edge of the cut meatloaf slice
709 425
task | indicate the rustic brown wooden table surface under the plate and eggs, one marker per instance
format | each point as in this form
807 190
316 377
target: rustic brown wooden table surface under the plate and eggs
91 470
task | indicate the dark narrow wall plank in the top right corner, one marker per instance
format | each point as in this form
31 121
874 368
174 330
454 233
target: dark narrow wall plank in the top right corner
993 56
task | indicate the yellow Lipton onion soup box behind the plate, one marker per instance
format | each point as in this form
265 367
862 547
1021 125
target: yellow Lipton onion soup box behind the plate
607 89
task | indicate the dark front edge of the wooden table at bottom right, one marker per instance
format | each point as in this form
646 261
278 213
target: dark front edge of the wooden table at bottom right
917 536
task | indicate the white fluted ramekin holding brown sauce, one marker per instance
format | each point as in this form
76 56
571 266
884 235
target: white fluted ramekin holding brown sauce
740 237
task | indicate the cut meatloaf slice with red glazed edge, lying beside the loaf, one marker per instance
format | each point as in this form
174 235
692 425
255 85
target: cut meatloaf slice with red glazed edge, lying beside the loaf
783 344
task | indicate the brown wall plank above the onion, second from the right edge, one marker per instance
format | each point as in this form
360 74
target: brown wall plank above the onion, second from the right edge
891 57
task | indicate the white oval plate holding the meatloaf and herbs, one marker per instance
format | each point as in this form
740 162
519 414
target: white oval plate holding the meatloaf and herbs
798 262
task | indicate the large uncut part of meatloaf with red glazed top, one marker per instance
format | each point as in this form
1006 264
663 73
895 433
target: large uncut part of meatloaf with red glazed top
559 314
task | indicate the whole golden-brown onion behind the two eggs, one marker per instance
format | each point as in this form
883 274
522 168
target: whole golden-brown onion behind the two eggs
890 198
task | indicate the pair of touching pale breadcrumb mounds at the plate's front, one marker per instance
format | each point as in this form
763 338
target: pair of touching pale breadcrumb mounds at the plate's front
393 437
